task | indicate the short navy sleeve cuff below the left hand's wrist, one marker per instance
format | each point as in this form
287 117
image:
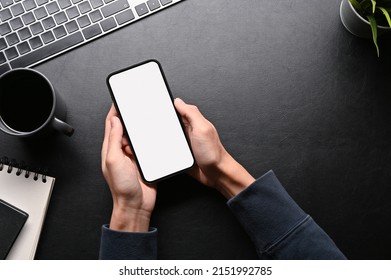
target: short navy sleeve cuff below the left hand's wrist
121 245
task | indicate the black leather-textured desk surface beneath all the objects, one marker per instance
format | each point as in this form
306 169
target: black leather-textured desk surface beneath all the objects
288 89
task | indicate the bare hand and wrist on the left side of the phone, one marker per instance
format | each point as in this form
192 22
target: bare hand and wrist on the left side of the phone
133 200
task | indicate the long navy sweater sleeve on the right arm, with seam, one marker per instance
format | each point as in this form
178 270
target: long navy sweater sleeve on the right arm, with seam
278 227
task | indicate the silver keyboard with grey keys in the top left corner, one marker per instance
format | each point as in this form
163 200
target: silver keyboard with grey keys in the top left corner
32 31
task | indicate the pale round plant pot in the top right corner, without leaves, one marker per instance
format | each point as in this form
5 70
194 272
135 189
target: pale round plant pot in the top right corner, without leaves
356 24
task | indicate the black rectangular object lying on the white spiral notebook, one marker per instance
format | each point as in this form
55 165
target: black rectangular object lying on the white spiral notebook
12 221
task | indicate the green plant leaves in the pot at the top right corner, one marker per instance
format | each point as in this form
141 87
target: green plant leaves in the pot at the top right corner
377 12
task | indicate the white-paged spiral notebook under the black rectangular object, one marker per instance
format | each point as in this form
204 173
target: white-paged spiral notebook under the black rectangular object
30 192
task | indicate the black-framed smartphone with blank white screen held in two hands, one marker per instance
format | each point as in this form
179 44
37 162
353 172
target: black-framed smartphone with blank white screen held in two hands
153 127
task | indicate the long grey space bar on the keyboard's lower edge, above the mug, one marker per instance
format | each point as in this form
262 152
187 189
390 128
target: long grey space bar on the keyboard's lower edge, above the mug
46 51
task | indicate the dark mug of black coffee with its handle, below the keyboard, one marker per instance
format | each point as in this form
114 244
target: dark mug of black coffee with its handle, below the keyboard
30 106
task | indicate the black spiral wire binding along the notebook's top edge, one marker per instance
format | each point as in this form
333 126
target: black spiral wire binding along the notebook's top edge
9 165
